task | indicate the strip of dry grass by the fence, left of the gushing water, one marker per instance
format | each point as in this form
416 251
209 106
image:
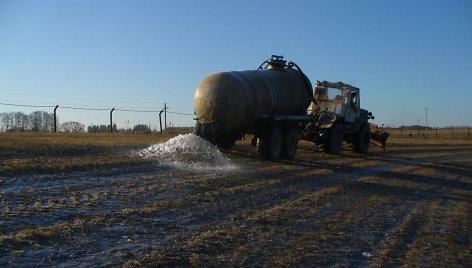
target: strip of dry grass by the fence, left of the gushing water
59 152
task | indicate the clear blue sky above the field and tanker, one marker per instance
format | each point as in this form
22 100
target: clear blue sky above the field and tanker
404 55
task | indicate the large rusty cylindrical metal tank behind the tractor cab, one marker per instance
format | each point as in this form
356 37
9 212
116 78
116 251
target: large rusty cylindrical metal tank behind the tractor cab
228 104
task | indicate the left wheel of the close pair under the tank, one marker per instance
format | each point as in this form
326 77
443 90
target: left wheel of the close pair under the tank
269 146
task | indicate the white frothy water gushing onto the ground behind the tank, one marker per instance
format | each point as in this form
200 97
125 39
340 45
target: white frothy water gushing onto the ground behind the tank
188 152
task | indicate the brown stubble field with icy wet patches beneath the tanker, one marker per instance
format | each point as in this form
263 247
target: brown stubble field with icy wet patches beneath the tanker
88 200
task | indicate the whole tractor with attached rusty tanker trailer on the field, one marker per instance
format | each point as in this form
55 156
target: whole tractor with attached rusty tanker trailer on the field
277 104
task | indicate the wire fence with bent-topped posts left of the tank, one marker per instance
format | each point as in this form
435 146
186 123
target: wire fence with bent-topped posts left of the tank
111 126
